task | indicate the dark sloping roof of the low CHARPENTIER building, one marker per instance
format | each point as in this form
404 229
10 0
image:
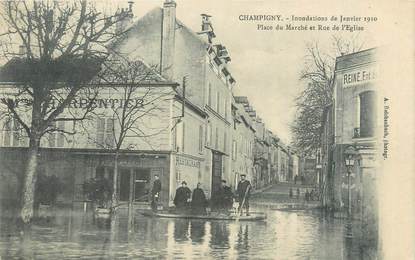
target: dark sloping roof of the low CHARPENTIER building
20 71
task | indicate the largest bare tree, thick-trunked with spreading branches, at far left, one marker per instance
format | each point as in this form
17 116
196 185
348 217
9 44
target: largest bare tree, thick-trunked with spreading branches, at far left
62 46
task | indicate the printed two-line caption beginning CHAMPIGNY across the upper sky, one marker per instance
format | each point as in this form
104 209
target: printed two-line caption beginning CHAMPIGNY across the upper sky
334 23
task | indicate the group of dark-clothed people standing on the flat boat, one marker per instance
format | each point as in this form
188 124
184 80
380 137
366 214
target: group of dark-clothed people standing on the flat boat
196 202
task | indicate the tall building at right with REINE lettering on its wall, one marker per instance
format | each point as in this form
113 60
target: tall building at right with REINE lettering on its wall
352 123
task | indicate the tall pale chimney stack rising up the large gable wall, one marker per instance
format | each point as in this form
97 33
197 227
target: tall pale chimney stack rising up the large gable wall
168 39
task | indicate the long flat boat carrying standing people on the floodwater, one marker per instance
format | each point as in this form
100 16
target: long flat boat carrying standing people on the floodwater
257 216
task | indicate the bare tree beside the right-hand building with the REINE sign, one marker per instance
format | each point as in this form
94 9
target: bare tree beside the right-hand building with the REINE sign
318 74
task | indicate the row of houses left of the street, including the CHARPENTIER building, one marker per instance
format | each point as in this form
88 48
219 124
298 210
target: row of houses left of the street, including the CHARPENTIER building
190 125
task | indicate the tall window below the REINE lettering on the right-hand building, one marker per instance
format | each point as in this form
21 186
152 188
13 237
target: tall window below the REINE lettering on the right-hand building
367 113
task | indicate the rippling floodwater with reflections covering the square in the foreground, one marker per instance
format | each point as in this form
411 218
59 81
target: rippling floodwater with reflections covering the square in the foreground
284 235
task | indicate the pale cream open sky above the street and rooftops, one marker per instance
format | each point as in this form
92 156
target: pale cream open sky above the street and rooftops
265 64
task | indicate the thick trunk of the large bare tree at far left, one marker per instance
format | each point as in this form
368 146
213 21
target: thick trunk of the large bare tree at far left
29 181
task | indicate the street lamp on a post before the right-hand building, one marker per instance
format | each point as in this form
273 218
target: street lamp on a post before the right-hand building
349 160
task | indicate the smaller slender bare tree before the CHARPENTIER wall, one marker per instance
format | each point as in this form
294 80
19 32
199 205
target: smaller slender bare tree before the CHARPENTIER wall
143 93
